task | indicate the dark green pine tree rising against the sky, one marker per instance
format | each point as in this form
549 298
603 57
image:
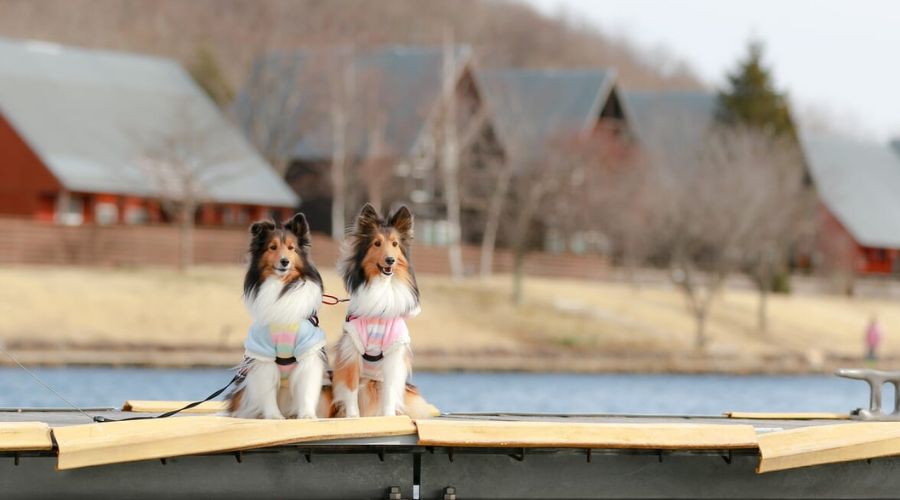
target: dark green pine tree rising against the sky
751 98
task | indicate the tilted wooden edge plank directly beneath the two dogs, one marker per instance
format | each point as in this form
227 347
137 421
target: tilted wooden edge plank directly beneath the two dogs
115 442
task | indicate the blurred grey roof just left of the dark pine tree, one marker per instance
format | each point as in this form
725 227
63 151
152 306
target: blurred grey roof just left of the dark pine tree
664 120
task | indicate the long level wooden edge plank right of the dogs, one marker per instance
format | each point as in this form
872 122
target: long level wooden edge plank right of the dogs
438 432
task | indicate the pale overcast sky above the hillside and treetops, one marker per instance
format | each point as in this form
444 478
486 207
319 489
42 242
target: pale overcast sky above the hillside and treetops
838 60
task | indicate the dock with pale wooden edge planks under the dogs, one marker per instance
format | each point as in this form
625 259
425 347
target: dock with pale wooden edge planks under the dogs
58 453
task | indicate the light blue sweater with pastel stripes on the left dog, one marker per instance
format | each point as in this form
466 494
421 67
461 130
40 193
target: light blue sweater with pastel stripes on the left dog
284 343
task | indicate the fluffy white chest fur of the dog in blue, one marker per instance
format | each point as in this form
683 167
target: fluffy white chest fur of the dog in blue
269 306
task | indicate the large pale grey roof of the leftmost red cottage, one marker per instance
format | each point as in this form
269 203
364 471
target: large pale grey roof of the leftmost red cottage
97 119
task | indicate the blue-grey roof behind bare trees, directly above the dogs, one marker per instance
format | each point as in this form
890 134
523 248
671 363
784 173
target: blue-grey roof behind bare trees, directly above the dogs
396 84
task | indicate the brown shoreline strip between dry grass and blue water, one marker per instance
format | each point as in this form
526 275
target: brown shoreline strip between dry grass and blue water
537 361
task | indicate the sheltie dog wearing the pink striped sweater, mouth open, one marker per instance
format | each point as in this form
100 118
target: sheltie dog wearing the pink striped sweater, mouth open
373 355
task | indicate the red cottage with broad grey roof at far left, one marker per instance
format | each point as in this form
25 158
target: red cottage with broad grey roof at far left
101 137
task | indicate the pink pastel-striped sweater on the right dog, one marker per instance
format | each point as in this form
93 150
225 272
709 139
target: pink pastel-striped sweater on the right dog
375 337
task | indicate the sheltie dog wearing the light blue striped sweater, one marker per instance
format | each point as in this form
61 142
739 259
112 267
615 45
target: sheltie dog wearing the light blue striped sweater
284 363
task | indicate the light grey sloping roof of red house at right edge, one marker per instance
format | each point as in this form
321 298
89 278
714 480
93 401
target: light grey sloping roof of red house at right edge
859 182
